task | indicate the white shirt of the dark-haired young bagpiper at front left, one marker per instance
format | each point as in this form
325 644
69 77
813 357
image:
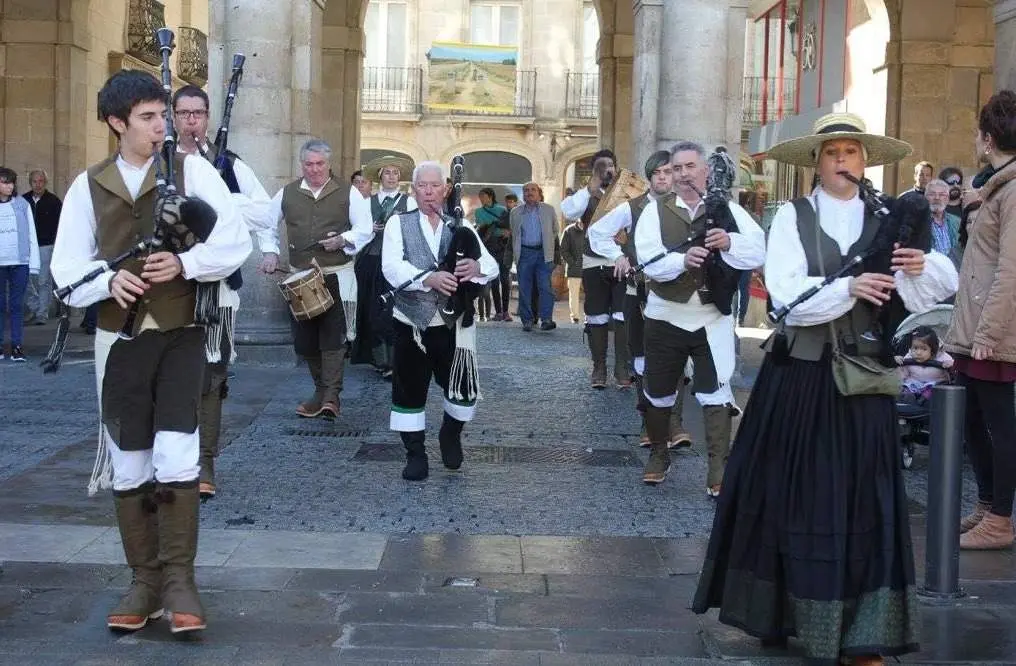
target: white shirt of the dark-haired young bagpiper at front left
76 251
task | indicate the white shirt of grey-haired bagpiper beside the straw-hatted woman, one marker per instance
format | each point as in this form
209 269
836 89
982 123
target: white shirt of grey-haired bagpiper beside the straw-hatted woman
747 252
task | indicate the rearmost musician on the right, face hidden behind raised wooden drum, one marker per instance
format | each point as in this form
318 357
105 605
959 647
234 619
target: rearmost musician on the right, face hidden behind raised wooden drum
605 295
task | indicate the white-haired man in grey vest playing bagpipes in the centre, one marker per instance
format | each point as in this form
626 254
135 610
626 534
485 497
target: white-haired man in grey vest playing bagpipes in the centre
429 257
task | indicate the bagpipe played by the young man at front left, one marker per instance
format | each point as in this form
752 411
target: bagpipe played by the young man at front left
179 224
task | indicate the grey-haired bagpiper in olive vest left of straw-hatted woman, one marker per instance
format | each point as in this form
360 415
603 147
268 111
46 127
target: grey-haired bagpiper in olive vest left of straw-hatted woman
682 321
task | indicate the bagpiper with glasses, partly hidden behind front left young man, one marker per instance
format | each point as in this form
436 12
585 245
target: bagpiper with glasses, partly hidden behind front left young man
190 111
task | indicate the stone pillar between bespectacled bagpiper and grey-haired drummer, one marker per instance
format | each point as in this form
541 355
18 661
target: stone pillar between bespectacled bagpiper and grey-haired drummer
272 118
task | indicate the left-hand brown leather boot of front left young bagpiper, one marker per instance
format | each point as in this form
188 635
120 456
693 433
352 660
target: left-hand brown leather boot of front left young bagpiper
139 526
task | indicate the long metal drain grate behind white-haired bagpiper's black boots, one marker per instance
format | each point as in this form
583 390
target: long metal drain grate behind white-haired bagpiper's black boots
510 455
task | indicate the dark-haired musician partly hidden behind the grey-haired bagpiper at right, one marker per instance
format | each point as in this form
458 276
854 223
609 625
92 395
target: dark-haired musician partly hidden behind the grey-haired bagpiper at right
603 241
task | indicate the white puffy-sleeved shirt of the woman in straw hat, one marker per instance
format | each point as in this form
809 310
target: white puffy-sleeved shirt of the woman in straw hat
787 265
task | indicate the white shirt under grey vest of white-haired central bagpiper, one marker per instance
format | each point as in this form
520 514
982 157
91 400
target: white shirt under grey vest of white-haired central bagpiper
398 271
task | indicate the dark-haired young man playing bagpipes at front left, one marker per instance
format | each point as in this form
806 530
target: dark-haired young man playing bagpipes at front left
150 374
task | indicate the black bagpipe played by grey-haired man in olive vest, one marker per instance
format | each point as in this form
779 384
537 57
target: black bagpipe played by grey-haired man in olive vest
720 280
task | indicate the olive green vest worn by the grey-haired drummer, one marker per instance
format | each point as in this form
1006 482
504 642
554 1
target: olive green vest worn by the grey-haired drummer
309 221
